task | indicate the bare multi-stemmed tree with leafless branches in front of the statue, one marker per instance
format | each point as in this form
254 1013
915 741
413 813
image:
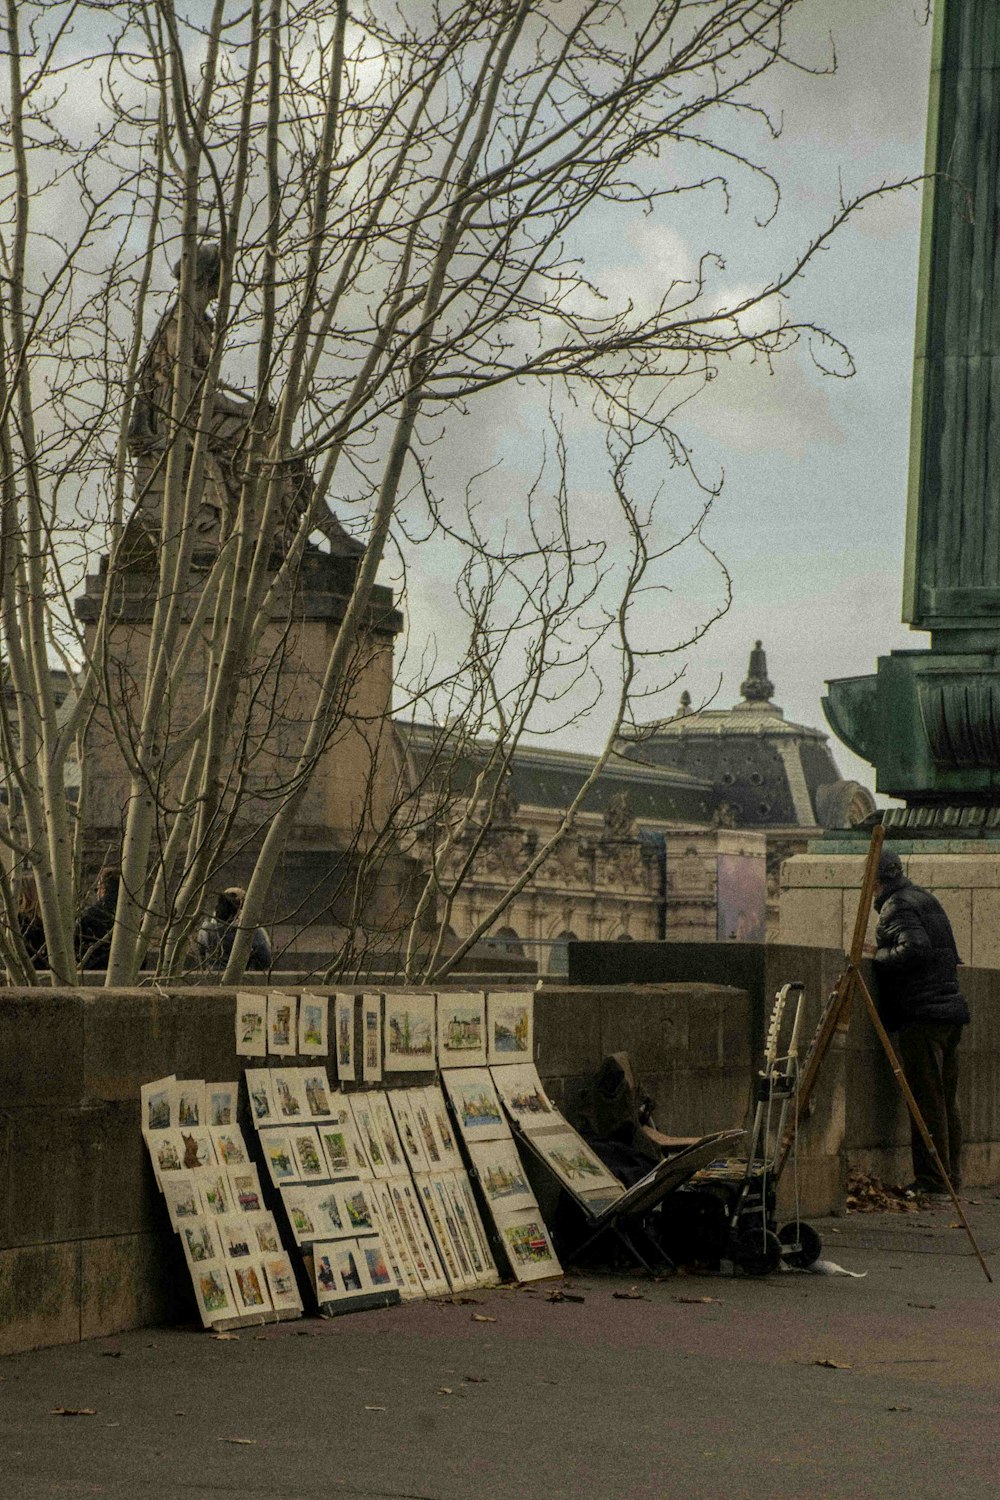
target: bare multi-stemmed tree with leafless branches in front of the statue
377 218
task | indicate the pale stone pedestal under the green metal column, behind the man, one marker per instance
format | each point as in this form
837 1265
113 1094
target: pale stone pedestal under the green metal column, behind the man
821 889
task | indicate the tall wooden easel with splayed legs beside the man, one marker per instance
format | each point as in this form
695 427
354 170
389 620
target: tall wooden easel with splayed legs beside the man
837 1019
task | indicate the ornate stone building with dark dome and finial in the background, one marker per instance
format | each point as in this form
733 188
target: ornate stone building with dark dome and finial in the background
681 838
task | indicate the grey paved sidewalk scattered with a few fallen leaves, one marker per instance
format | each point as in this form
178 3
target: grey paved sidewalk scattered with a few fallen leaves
705 1388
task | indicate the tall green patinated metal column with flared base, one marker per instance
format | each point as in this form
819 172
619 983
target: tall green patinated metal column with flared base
930 721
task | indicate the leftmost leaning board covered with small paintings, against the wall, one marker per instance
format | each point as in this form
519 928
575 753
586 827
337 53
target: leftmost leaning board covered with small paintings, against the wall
212 1190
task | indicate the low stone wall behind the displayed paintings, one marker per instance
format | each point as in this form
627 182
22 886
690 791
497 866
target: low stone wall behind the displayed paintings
85 1243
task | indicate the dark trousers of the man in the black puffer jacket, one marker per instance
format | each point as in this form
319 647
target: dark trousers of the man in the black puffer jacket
929 1052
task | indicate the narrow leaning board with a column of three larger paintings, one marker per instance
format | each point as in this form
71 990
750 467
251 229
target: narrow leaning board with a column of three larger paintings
503 1181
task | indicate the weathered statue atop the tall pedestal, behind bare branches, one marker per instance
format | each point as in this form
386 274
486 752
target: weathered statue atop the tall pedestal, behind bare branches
230 415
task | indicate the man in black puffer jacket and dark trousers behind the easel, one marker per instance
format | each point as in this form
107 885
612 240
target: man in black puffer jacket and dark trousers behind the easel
917 965
